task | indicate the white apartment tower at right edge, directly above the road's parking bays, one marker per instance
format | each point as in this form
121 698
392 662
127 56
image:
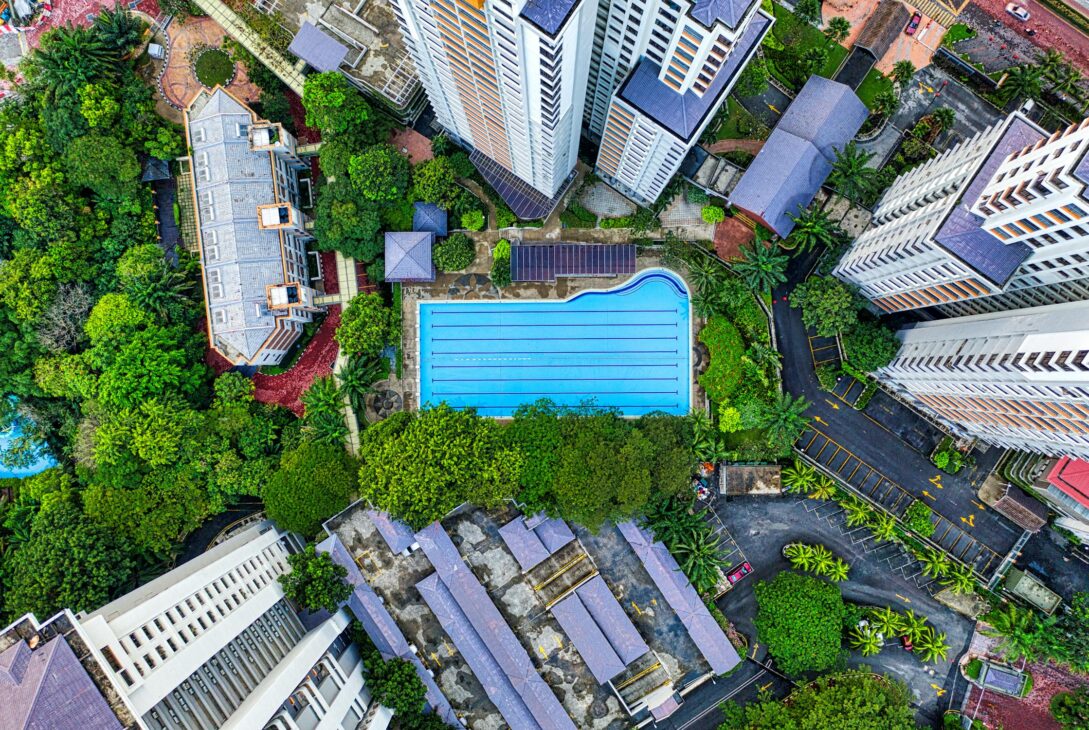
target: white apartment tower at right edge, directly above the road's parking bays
1015 380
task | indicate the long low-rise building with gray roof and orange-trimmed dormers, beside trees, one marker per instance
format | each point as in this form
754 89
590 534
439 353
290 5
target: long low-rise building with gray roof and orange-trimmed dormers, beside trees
251 232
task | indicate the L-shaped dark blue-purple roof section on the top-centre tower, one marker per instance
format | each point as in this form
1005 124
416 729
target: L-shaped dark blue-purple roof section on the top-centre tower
682 115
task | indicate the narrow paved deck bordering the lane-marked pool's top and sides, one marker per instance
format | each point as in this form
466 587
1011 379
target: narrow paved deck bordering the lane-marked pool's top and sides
475 285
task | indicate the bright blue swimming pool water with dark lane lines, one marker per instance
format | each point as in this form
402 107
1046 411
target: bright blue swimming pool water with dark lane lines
627 348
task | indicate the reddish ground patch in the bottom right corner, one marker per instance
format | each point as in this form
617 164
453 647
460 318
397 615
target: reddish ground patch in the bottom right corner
999 711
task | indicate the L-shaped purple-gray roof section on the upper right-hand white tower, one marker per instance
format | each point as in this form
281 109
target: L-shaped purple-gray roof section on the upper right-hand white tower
961 234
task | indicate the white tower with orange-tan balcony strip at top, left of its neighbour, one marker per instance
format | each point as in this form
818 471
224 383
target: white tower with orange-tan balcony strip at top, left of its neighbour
508 79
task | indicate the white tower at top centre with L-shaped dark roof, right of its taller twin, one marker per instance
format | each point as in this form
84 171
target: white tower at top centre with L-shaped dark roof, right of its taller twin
666 70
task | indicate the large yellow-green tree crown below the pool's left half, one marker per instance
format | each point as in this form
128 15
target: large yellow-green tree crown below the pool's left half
419 467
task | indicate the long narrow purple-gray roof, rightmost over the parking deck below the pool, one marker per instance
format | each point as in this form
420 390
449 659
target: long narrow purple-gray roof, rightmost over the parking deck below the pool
682 598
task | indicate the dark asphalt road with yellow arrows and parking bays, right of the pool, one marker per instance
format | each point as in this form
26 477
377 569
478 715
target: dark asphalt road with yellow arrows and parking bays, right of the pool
871 454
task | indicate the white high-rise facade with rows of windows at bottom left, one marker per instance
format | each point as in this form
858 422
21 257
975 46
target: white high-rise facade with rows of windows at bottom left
216 644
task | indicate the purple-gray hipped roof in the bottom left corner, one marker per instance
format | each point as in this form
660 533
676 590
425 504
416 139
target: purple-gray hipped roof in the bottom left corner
48 689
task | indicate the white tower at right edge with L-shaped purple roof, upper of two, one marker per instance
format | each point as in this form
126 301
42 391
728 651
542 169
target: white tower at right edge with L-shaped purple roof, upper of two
996 224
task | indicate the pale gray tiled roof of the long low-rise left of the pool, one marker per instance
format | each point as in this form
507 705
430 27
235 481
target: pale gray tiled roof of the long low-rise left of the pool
250 259
